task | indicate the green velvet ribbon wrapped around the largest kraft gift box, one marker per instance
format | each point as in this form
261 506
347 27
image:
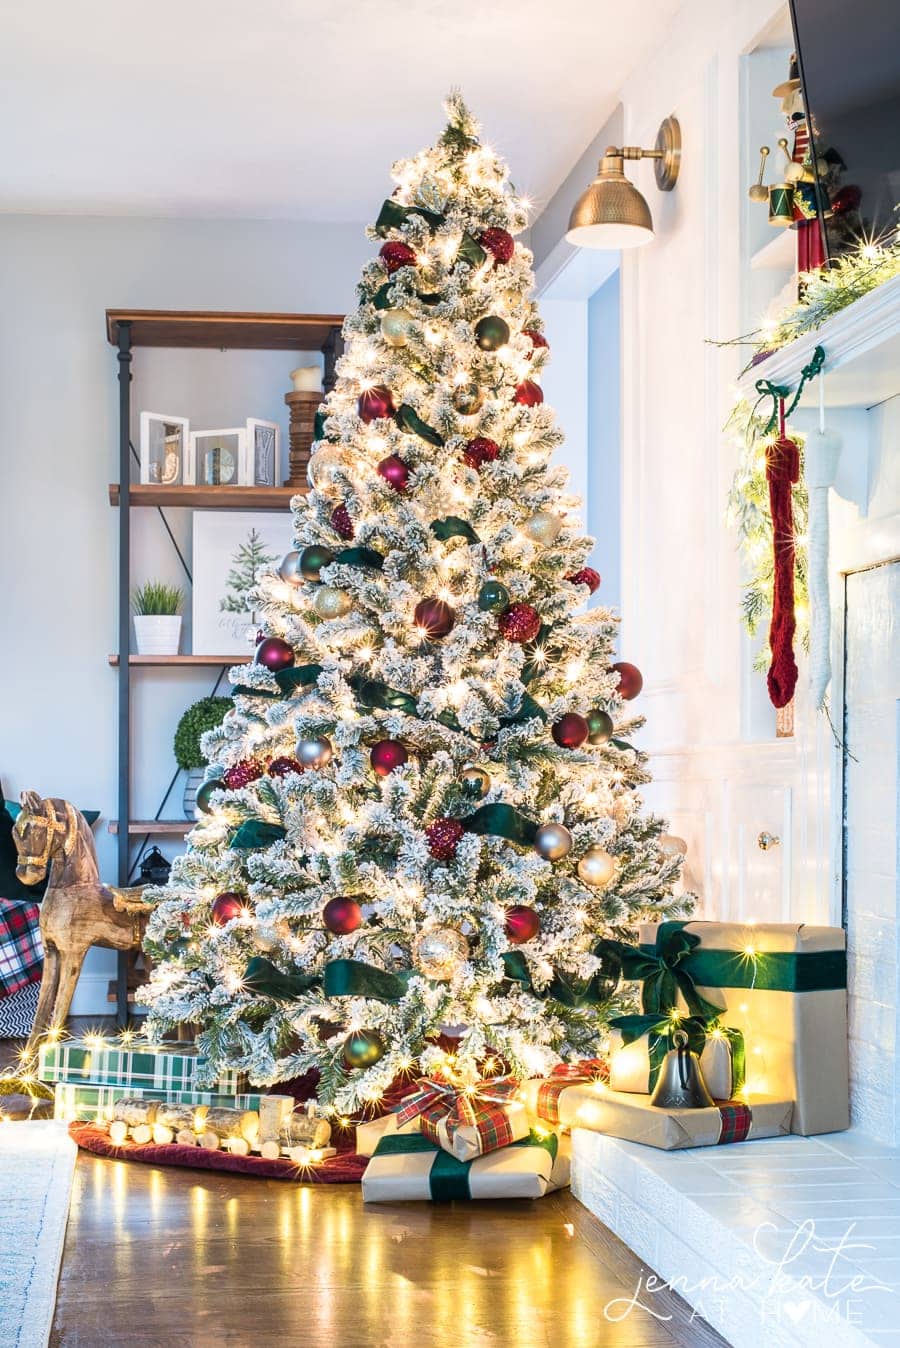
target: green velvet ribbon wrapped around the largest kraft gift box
771 971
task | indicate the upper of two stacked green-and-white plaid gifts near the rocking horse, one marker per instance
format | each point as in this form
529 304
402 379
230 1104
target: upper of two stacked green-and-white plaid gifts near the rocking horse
160 1067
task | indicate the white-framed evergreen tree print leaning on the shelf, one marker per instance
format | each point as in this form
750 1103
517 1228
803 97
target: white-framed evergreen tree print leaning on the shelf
232 549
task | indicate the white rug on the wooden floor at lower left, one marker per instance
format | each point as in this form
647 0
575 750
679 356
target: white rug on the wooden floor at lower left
37 1168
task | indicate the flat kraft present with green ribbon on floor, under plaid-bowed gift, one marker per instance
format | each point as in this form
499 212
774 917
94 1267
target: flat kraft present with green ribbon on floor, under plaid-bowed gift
410 1168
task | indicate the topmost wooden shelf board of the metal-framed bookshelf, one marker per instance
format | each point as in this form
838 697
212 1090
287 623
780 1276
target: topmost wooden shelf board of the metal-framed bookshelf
245 332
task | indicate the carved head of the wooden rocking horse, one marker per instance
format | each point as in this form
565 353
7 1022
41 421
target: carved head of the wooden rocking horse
53 836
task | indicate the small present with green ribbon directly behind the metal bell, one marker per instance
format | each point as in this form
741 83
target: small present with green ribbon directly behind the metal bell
639 1044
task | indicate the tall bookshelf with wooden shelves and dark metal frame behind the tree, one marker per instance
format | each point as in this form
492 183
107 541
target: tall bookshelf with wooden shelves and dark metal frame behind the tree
127 331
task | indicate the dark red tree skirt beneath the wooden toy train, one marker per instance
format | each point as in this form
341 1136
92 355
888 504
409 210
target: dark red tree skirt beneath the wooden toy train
347 1168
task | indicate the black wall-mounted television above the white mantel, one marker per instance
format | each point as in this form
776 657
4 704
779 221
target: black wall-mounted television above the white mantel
849 68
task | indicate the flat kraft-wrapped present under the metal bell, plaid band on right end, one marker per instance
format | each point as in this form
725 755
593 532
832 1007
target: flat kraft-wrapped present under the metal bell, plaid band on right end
635 1120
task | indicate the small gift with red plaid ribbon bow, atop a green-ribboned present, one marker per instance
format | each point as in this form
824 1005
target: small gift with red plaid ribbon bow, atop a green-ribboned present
467 1124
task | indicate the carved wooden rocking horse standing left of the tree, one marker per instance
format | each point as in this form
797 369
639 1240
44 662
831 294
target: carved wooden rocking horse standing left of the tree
77 911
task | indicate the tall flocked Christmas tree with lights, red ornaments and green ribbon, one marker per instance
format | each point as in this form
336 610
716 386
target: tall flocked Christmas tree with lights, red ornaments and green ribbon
425 805
